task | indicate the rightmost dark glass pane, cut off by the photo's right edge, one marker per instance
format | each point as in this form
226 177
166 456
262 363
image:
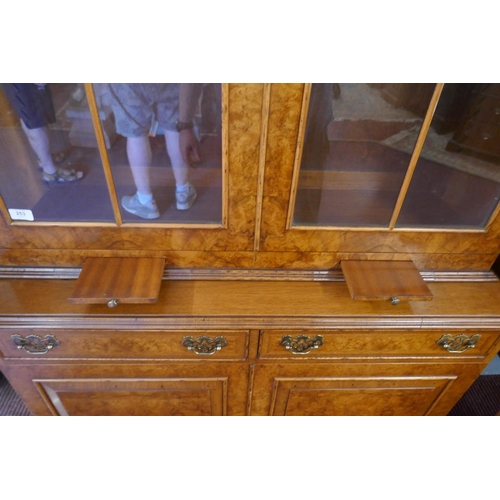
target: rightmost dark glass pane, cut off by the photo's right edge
457 180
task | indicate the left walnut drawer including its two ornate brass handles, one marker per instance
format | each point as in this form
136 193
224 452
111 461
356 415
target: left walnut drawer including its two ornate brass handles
102 344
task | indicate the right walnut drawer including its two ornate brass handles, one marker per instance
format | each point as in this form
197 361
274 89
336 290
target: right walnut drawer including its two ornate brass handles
370 344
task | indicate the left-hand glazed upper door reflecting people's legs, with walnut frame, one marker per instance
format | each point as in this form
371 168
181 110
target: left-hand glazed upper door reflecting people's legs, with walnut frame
129 170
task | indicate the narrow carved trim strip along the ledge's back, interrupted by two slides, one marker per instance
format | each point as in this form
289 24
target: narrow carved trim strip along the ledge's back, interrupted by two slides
214 274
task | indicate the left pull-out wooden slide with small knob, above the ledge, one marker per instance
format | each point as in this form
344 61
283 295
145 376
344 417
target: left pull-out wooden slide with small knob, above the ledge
124 280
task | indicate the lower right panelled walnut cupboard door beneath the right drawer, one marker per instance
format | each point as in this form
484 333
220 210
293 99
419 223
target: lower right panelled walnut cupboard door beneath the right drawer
358 389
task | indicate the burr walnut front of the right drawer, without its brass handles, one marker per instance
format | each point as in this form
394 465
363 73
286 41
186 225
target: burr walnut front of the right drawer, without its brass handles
375 344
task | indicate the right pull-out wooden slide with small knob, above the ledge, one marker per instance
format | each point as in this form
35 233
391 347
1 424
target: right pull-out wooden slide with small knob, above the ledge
384 280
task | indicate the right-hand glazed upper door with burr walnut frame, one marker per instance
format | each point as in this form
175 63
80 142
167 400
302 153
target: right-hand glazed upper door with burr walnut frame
382 172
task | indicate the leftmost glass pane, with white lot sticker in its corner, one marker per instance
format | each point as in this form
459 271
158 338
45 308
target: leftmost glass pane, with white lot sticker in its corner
50 167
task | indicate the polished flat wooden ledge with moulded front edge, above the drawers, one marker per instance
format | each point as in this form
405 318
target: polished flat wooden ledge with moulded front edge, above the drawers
239 303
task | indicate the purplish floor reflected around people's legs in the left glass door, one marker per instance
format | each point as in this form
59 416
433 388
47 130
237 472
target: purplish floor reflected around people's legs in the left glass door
88 200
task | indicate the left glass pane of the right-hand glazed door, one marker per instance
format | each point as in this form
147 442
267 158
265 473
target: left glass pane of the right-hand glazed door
358 142
